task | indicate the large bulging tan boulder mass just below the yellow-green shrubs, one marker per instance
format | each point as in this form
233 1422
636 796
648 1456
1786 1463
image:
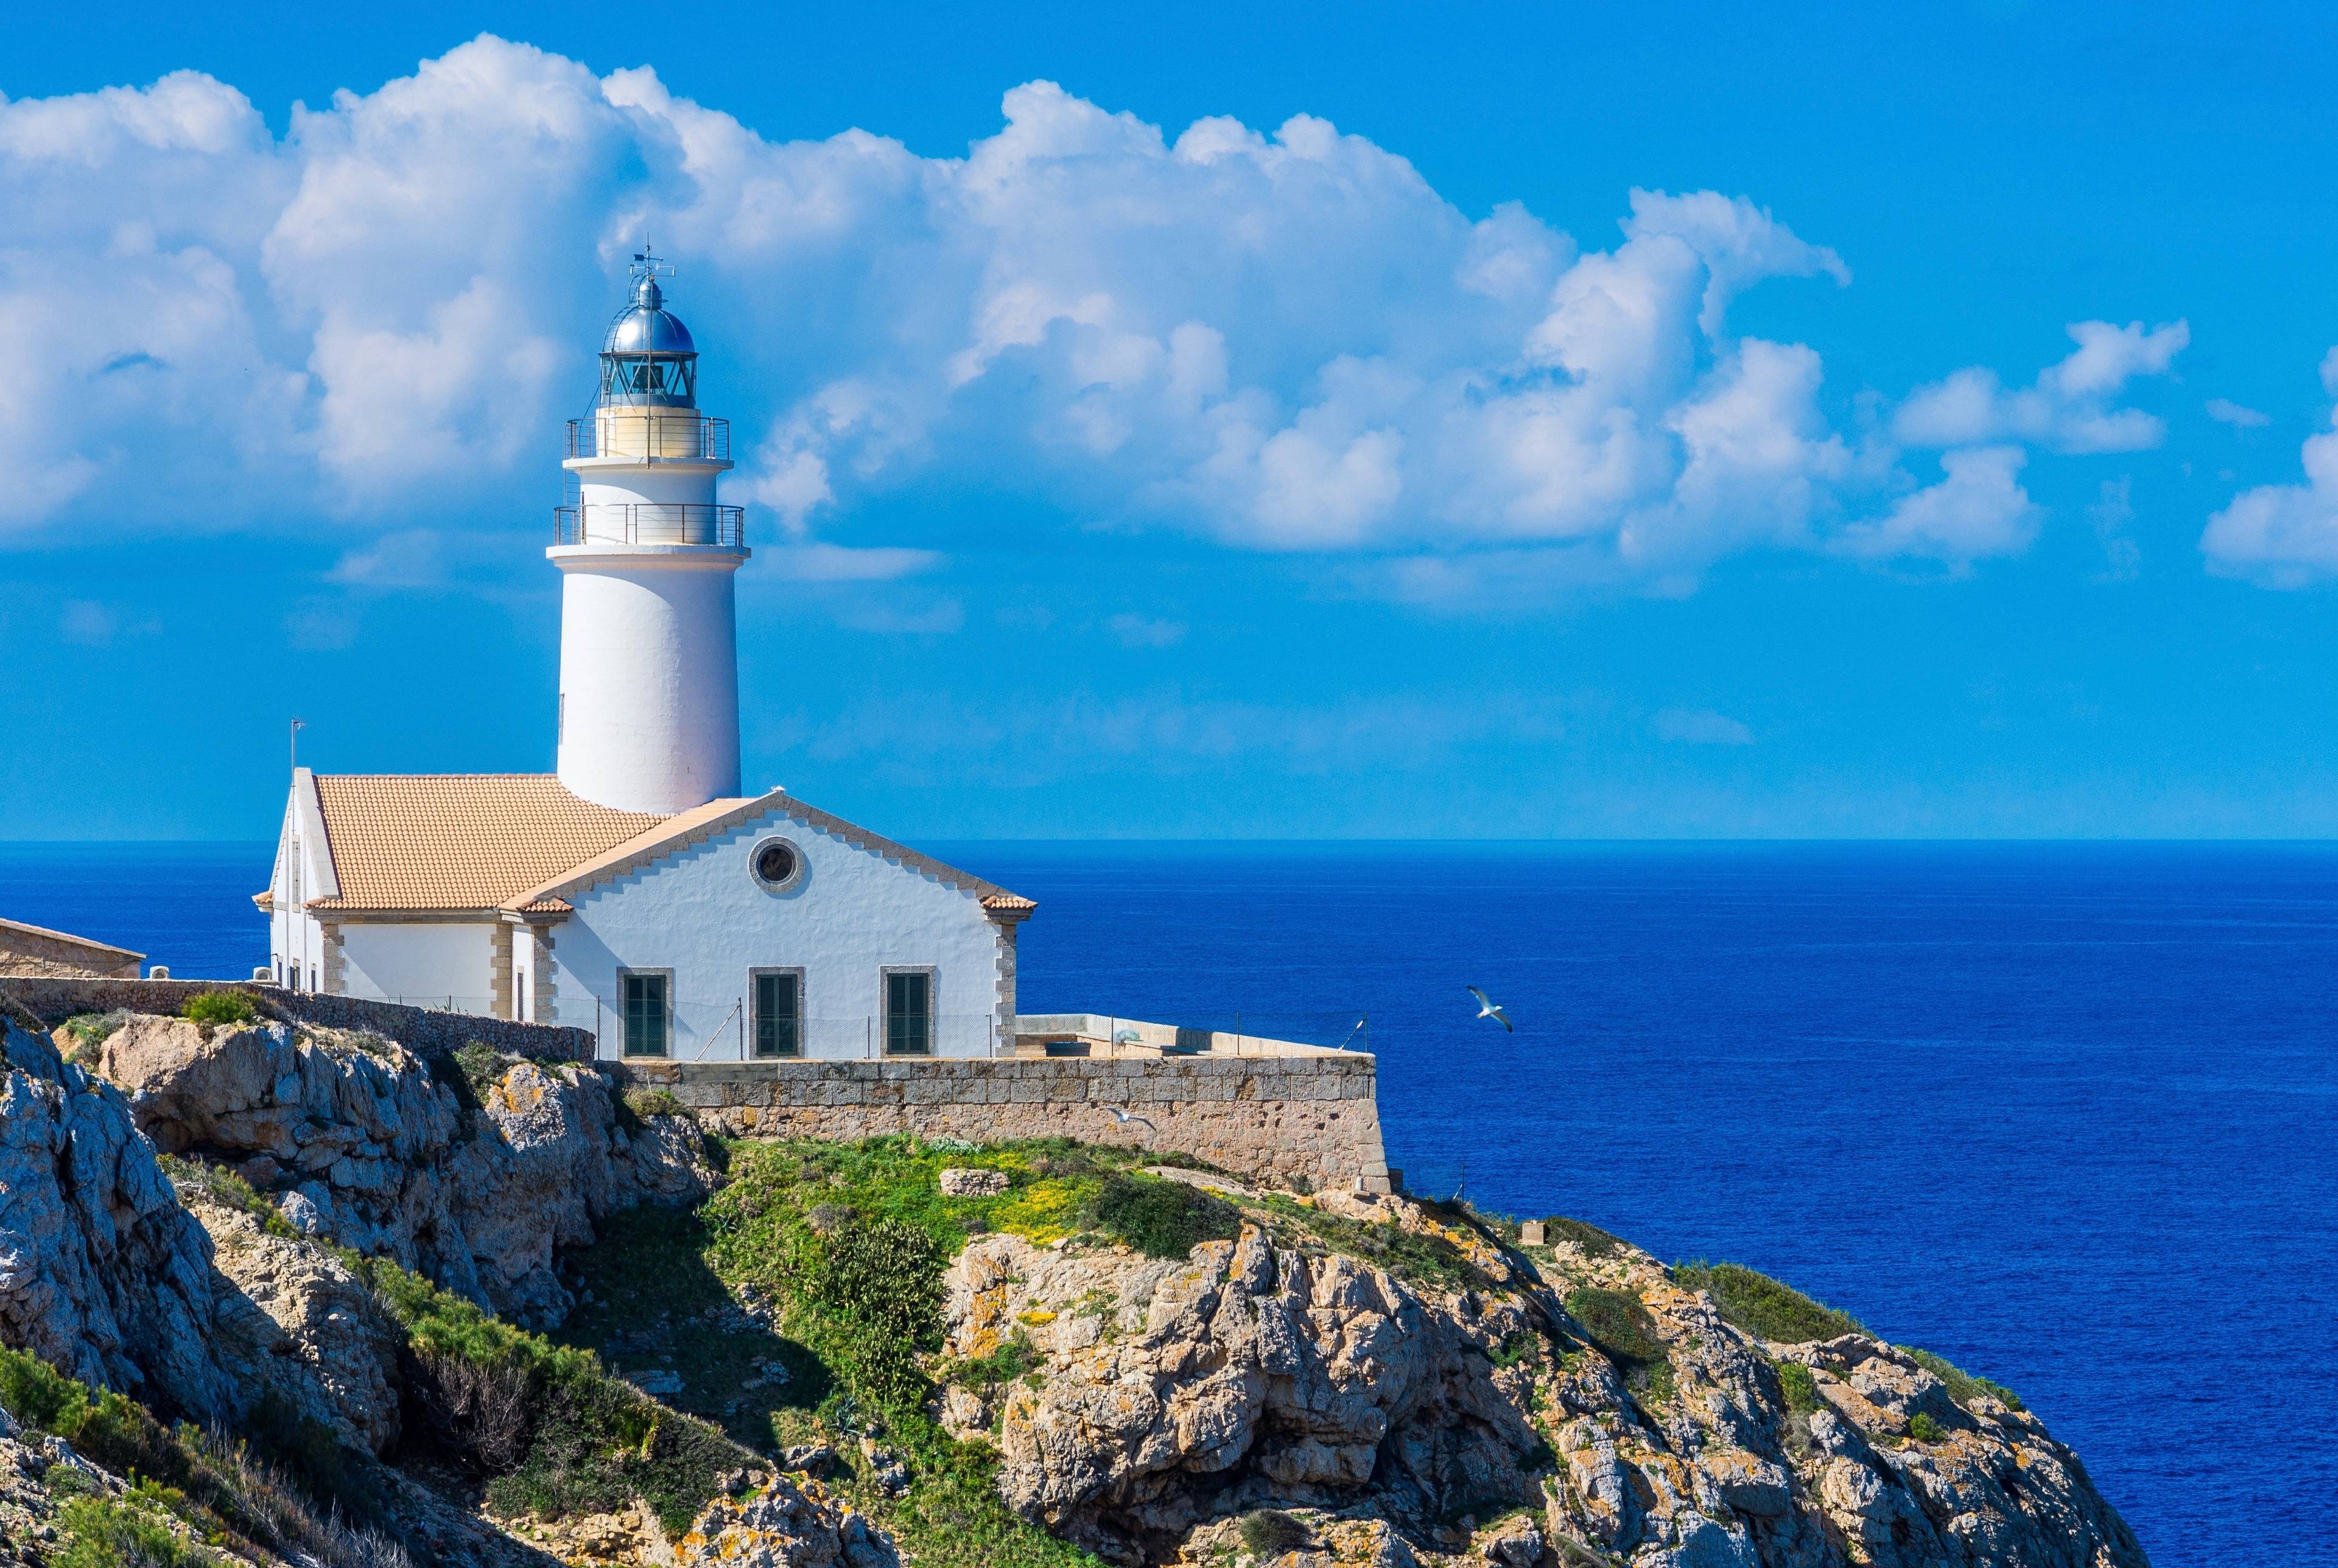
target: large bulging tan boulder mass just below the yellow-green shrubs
1243 1378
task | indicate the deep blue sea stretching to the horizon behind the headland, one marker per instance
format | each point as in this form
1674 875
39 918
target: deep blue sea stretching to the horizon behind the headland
2061 1113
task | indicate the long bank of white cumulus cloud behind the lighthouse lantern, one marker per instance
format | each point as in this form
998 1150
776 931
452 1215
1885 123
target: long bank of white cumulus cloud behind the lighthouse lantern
1273 338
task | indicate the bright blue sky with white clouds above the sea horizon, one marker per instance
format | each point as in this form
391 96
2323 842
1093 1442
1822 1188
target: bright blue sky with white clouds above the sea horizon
1341 422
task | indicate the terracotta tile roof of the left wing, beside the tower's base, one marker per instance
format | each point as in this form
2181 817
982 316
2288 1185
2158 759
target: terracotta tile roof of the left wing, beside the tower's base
459 840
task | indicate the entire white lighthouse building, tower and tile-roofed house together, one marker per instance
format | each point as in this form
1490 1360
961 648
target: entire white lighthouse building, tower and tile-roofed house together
637 891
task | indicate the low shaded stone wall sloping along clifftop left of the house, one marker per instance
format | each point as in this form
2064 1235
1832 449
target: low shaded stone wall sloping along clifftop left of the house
420 1029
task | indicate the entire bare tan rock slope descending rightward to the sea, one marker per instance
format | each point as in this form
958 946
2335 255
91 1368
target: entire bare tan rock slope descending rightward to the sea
1467 1413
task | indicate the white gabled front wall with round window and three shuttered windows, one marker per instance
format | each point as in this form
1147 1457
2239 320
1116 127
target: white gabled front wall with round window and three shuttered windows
845 920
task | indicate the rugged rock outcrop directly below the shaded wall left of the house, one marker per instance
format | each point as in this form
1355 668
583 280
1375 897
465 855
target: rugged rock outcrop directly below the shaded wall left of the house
366 1146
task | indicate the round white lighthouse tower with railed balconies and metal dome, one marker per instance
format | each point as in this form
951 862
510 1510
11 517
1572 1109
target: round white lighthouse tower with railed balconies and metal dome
649 611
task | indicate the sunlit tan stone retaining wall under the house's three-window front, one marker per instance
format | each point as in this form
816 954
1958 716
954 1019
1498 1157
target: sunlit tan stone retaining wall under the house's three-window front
1273 1118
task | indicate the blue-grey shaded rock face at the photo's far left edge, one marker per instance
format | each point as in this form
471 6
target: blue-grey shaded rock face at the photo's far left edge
102 1272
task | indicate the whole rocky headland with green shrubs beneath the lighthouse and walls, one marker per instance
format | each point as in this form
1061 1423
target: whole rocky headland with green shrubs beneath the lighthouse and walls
1025 1357
